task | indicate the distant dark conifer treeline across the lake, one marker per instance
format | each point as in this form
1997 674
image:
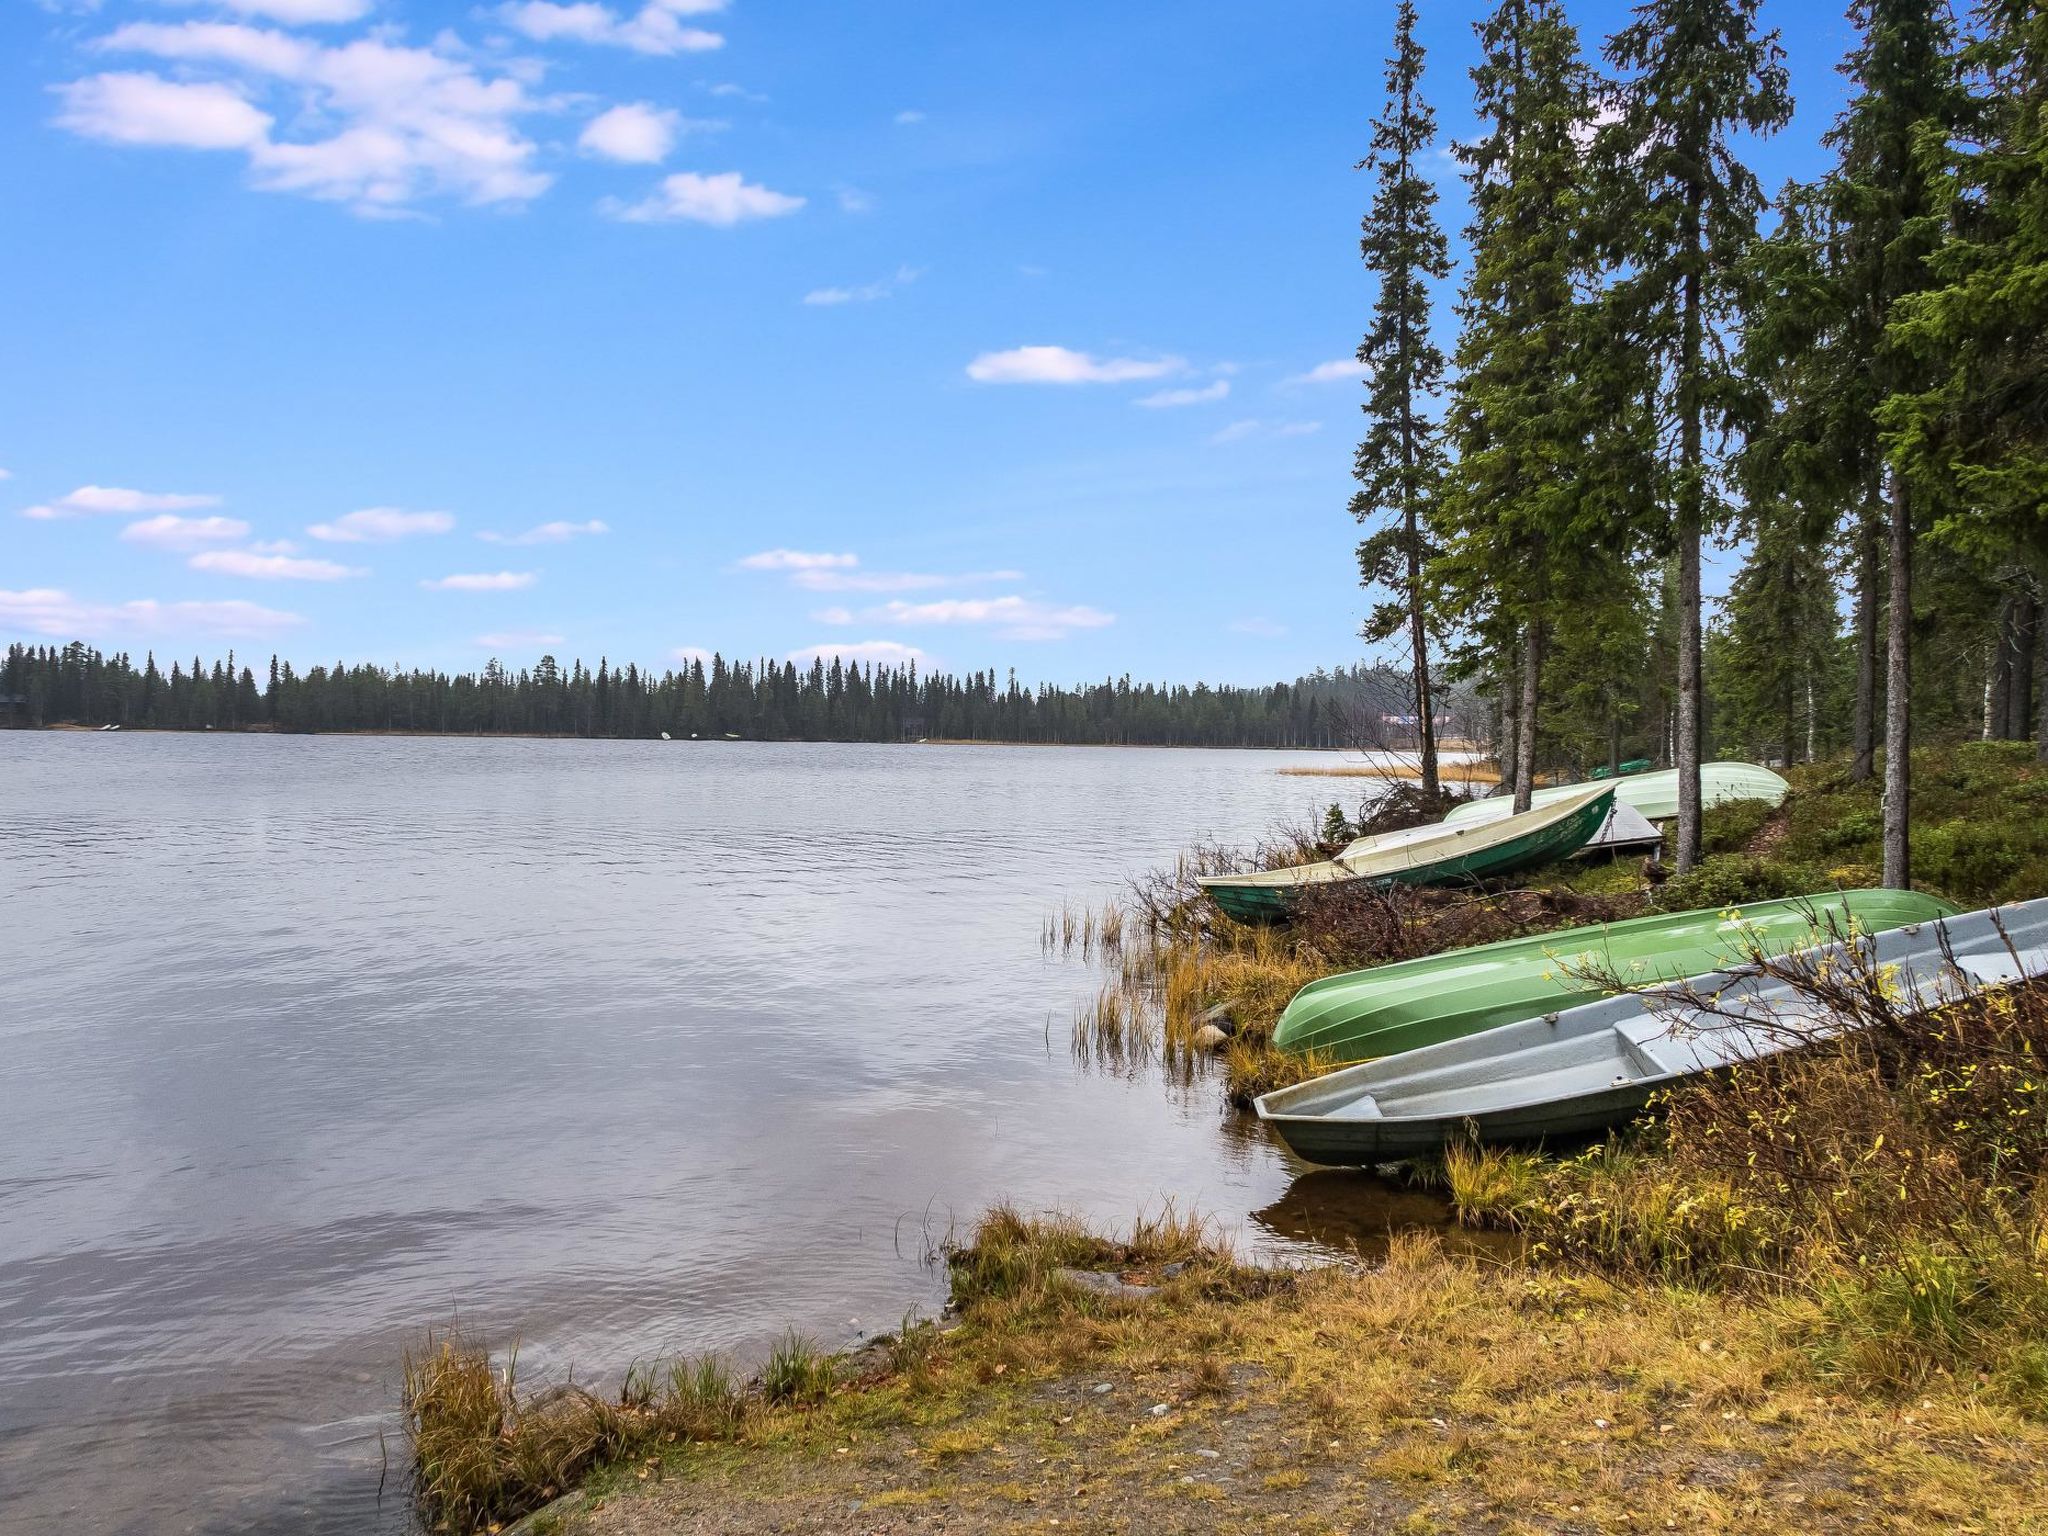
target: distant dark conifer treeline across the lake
839 701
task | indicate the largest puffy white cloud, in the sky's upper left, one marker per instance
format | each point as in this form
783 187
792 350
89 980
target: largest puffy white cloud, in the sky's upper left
398 124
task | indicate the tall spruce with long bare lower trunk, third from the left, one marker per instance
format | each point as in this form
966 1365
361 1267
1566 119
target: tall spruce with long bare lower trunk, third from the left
1697 73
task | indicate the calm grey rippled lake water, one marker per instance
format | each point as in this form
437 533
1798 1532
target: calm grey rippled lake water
611 1048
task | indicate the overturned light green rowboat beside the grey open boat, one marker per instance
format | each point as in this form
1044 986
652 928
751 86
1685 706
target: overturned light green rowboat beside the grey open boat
1441 998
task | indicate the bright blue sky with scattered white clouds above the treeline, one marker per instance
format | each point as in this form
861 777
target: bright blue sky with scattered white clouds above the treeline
425 333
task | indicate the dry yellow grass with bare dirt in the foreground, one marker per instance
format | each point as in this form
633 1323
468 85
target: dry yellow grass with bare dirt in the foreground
1431 1394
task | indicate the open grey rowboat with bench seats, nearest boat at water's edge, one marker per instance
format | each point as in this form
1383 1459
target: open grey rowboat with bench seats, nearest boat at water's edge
1588 1070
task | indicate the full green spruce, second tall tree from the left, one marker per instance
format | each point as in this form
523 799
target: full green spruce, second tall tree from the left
1514 501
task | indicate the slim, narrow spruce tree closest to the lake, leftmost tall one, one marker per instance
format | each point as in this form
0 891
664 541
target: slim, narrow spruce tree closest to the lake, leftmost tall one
1400 462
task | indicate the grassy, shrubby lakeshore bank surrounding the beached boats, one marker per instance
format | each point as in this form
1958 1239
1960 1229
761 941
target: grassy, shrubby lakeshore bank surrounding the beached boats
1814 1297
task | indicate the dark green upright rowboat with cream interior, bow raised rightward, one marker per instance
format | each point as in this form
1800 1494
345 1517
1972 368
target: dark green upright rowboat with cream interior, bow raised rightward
1435 855
